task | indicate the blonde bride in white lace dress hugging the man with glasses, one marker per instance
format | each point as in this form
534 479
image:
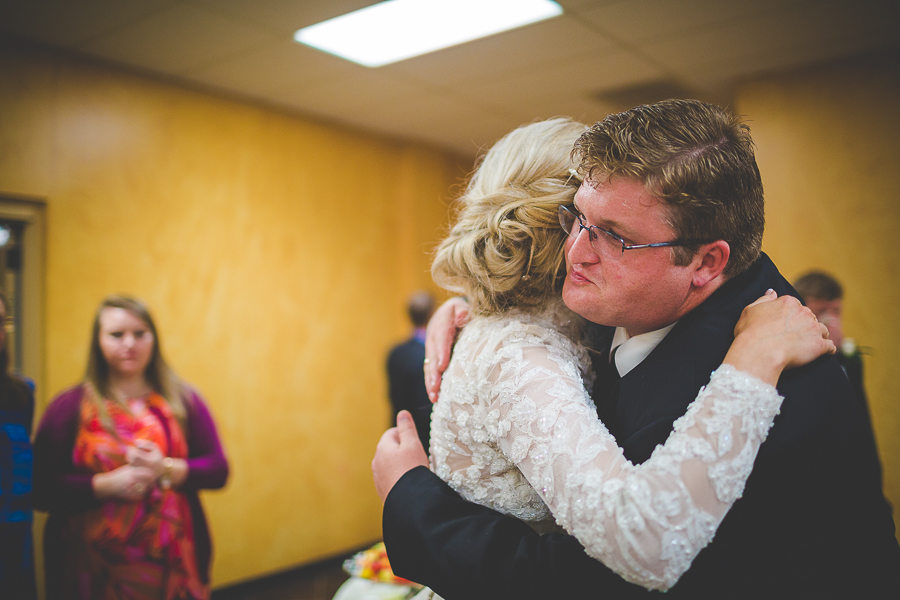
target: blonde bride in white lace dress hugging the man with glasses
515 428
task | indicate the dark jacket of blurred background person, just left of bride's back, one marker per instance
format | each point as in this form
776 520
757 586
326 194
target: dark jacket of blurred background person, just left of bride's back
406 385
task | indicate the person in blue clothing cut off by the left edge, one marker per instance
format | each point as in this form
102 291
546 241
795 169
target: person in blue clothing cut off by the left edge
16 416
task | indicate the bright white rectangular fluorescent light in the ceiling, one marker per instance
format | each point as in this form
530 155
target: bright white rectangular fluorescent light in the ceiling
397 29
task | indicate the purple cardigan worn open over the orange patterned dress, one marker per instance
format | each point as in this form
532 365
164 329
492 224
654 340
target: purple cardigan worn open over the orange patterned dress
60 489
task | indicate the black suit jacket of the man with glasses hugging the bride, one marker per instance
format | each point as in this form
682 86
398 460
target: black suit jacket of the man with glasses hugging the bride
812 522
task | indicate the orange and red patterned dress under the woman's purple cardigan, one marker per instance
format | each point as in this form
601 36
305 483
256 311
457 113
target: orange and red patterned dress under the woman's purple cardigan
134 550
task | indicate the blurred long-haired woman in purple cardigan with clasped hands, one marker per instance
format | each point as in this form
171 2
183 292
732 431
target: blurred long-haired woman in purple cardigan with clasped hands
118 463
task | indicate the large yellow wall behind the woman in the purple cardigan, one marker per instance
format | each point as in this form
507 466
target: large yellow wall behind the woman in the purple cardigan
276 253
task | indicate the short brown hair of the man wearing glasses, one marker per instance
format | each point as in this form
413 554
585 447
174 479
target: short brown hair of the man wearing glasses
698 159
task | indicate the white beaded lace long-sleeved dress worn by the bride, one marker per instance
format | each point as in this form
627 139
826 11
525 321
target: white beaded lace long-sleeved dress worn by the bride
515 429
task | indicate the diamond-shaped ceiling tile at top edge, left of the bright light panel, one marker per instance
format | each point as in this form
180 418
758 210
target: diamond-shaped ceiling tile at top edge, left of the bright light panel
178 38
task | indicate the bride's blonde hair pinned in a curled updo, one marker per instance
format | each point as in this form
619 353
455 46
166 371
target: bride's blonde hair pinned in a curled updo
506 249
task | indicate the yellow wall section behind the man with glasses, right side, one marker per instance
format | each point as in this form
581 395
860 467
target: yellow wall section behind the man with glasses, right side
828 146
